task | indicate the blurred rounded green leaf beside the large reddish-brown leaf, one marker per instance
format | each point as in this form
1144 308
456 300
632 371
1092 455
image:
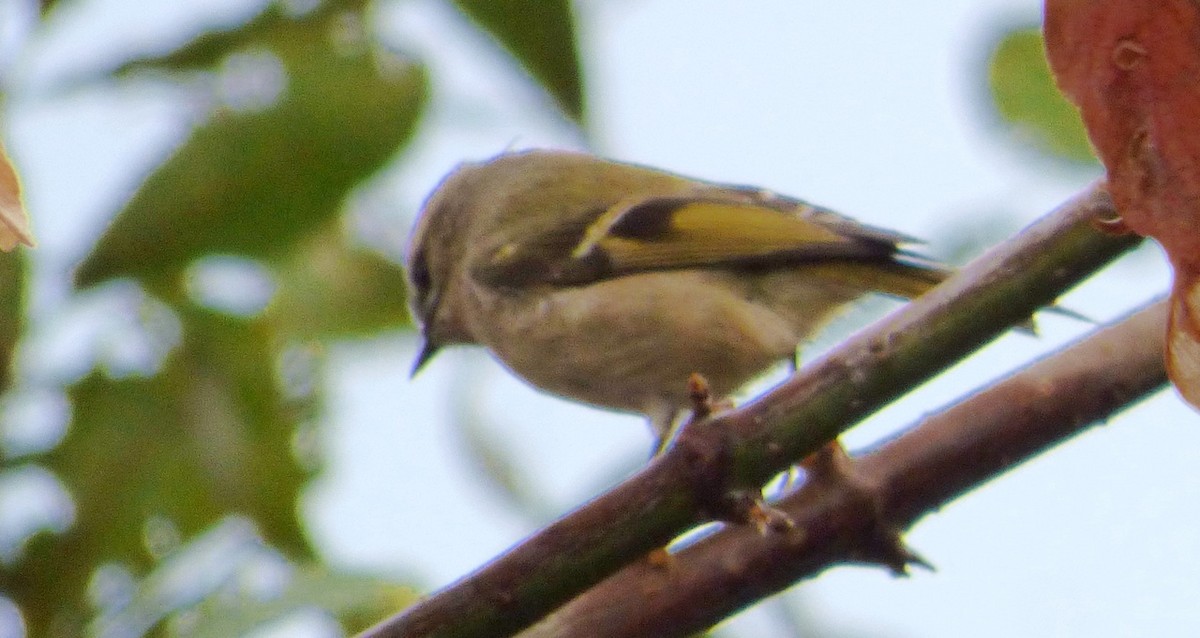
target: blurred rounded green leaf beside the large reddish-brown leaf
1028 100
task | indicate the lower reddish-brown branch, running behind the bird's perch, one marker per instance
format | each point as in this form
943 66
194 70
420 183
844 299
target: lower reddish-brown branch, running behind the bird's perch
910 477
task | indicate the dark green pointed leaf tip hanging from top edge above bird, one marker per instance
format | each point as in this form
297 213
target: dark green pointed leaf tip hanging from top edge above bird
541 35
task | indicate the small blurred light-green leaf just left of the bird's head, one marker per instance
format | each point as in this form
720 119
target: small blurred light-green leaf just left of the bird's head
329 288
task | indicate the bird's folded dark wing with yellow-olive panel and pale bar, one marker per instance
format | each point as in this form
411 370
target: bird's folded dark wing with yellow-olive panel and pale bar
671 233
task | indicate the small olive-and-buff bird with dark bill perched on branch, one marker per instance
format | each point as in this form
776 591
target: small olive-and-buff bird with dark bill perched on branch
613 284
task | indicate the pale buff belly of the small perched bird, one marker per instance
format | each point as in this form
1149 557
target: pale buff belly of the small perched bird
632 344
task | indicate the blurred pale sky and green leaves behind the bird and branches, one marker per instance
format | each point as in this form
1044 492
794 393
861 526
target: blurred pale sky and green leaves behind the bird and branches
208 426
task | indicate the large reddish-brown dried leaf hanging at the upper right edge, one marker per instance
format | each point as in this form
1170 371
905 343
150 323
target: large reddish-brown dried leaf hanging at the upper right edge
1135 71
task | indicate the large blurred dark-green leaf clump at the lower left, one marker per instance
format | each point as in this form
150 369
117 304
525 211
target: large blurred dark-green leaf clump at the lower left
211 436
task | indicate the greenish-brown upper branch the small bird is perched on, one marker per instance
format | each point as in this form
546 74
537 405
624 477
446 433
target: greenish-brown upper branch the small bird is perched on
747 447
